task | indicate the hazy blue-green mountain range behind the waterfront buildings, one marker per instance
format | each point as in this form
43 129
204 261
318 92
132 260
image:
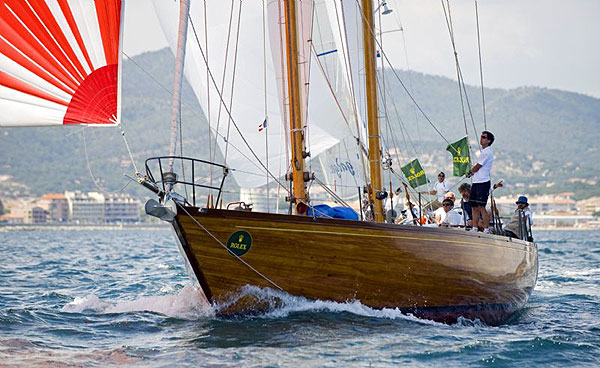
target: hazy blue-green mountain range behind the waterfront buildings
546 140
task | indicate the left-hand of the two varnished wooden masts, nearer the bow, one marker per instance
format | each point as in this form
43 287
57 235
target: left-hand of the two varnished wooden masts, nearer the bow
296 124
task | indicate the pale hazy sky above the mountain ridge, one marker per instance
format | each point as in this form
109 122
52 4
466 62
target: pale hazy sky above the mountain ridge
547 43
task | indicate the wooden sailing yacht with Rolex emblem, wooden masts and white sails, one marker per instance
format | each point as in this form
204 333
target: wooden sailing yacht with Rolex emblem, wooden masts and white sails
308 68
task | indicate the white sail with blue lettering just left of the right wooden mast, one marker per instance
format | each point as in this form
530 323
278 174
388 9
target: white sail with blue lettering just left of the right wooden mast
337 41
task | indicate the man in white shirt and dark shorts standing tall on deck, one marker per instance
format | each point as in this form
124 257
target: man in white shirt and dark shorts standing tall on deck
480 190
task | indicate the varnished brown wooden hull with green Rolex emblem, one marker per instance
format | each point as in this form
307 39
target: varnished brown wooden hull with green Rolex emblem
433 273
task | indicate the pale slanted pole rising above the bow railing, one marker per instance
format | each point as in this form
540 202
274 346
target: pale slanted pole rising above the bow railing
184 10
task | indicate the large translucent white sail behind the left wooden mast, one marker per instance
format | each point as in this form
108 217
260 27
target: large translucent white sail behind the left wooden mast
247 102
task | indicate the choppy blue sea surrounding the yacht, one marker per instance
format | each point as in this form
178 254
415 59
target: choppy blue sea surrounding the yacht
105 298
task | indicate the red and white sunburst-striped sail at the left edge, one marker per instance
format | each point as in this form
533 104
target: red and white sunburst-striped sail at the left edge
60 62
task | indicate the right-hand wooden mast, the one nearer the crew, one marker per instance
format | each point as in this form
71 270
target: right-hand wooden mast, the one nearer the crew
372 110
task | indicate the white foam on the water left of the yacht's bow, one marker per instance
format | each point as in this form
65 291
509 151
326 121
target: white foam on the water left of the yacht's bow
188 303
